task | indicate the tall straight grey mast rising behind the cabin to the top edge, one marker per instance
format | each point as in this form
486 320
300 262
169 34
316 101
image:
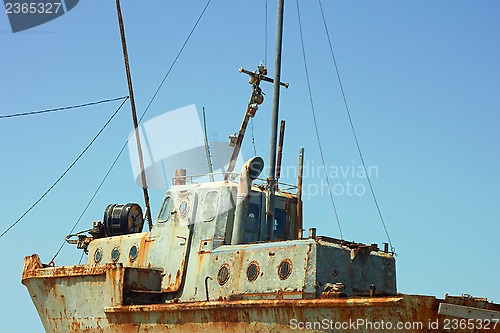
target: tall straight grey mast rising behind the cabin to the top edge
271 179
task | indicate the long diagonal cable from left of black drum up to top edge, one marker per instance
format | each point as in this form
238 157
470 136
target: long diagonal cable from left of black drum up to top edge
140 119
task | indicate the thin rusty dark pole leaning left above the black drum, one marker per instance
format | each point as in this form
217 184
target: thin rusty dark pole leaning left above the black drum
134 115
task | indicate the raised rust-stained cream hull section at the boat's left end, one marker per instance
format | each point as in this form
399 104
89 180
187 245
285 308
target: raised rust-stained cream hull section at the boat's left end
72 298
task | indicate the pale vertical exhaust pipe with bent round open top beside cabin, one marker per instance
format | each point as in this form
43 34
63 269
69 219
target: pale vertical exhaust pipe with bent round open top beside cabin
250 171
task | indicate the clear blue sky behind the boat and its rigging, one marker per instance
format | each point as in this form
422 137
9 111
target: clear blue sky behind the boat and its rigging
421 79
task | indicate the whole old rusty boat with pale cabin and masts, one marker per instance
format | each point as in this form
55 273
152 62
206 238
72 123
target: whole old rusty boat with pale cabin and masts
232 256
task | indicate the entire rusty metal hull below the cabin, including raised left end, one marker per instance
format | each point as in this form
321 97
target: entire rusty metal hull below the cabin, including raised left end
91 298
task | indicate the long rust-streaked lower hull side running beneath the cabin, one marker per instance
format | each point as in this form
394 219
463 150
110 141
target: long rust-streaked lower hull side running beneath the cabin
403 313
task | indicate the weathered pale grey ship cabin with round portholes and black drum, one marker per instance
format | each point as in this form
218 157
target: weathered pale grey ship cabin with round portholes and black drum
211 241
